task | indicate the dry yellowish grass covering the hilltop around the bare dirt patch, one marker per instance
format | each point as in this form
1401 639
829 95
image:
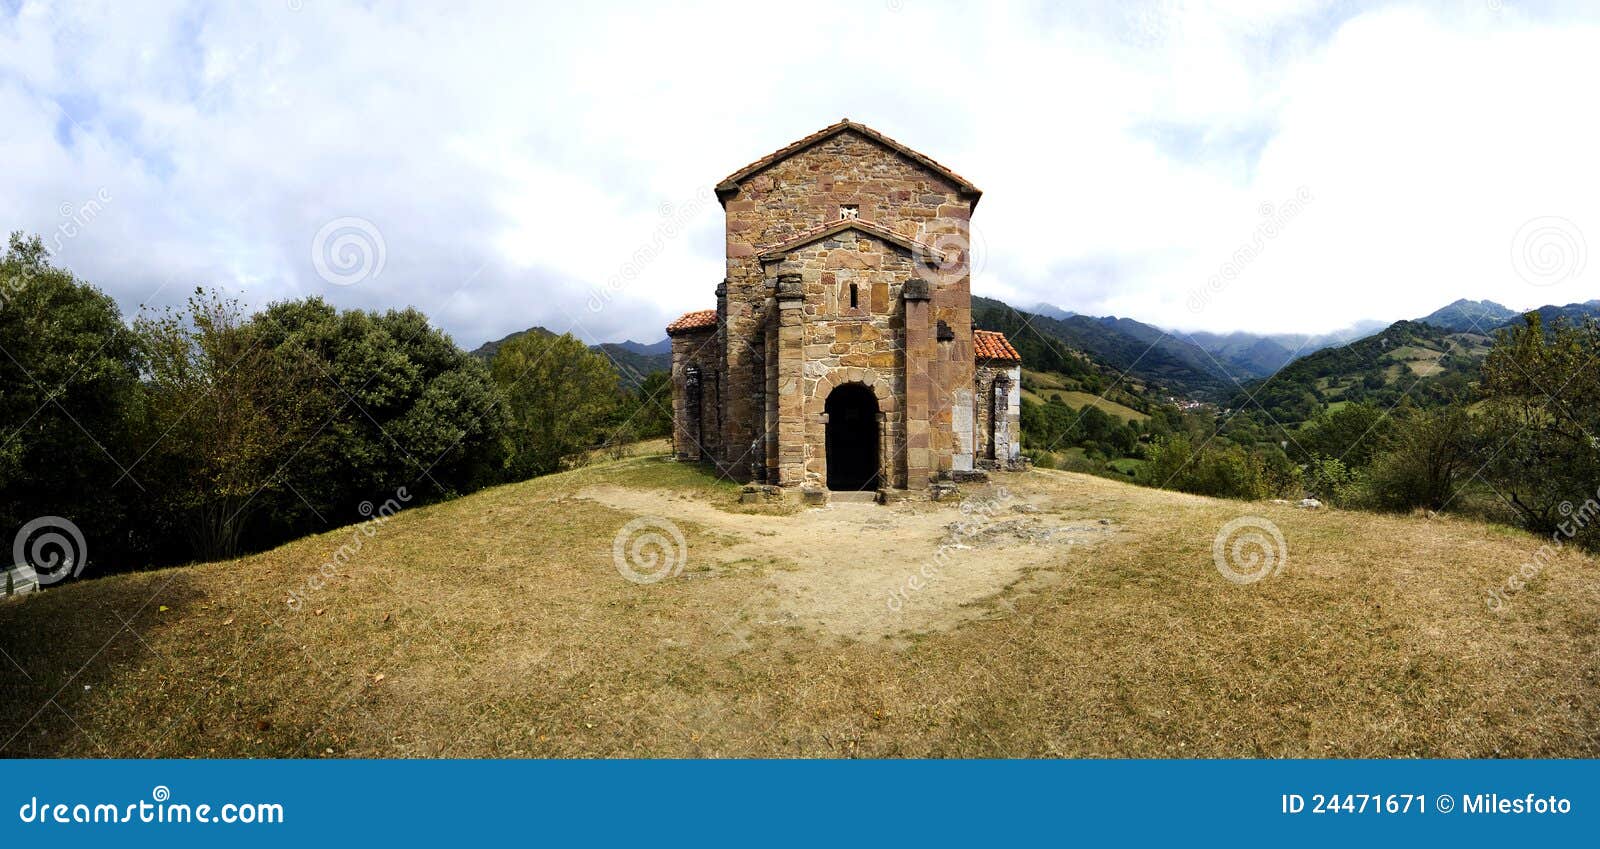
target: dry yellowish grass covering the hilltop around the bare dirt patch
498 626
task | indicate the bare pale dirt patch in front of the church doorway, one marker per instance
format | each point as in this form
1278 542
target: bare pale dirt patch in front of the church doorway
871 573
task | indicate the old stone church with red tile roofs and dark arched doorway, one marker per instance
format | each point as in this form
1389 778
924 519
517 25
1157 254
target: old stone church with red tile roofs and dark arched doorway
842 353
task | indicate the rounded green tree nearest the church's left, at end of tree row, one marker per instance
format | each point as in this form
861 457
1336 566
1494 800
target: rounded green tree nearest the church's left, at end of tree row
559 396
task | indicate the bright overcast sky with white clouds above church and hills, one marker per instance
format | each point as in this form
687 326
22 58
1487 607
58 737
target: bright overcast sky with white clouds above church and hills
1294 169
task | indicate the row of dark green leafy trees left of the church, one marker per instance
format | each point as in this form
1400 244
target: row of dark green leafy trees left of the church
204 431
